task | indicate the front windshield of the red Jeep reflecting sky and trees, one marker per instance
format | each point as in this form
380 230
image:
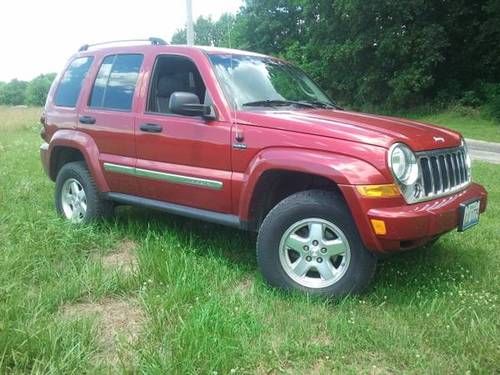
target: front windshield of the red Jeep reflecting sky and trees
253 81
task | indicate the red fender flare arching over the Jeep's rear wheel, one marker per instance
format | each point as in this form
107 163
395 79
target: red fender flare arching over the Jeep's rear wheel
86 145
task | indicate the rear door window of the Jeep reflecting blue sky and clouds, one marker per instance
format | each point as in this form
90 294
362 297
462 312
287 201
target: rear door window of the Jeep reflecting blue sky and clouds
115 82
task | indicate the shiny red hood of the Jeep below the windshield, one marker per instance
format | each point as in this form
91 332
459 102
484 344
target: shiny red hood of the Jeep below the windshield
376 130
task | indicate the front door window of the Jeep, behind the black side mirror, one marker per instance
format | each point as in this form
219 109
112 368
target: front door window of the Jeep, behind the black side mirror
174 74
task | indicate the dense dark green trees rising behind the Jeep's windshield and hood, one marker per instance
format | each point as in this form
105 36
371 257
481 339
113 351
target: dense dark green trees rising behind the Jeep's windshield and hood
392 54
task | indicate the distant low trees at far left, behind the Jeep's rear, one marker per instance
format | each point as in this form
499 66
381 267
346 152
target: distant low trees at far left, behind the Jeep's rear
34 92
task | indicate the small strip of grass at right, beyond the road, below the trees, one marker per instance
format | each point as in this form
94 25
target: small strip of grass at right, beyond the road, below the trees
471 123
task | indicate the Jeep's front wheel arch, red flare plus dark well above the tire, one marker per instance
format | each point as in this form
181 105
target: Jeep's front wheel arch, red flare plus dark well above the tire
275 174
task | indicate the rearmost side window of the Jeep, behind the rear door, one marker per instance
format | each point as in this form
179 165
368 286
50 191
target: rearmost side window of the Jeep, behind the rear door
71 82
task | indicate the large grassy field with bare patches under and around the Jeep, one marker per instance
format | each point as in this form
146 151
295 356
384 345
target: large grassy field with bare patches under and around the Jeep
206 308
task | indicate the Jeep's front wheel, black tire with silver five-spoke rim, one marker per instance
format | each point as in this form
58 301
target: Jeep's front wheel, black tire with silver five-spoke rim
311 222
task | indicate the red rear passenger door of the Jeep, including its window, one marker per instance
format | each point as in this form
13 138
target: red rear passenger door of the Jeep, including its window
108 116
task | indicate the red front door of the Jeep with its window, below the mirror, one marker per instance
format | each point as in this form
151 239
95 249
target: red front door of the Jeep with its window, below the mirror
182 159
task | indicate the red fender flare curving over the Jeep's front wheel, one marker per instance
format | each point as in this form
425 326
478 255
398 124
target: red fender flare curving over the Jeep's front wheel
338 168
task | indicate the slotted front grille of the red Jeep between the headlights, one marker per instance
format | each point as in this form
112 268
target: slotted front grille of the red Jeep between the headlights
443 171
